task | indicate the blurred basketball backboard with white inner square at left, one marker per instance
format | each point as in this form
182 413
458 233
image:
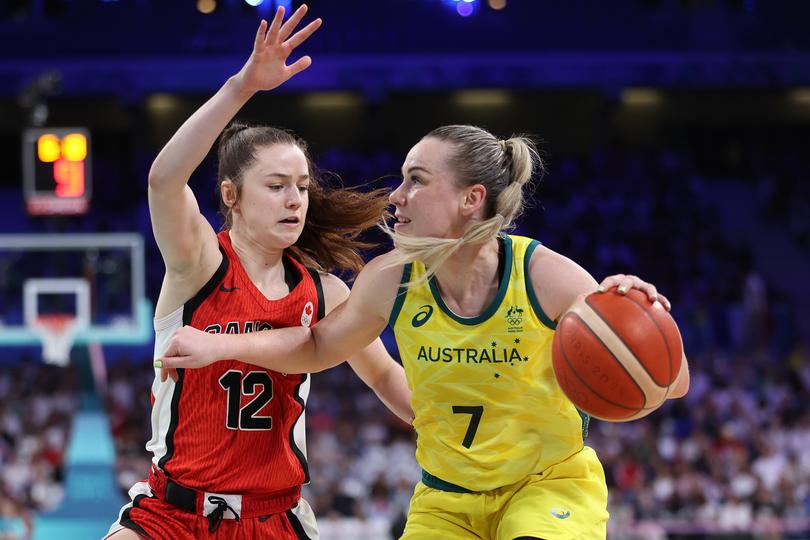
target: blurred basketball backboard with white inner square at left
95 279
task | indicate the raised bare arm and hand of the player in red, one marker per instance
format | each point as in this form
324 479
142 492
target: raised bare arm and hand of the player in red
186 240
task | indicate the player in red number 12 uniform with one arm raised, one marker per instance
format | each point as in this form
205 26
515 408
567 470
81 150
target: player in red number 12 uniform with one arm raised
229 455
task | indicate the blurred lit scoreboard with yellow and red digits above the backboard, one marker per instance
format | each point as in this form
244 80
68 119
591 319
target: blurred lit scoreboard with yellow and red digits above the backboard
57 176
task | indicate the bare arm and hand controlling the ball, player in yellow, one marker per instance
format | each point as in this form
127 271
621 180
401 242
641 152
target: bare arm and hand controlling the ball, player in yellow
559 281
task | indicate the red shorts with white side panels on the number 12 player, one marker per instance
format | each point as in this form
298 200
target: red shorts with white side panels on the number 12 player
153 518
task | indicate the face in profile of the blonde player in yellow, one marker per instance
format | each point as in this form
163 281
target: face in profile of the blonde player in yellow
427 202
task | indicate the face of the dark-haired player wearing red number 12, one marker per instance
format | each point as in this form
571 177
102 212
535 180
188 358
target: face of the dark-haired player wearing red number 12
274 200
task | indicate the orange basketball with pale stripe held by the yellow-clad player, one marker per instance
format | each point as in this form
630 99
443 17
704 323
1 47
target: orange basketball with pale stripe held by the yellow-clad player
615 356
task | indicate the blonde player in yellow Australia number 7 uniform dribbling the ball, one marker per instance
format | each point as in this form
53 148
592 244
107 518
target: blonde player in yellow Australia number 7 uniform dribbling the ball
474 312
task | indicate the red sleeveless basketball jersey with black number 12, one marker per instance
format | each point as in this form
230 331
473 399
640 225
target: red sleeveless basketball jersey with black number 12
233 427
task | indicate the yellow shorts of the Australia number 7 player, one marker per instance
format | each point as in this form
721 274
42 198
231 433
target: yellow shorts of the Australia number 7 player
567 501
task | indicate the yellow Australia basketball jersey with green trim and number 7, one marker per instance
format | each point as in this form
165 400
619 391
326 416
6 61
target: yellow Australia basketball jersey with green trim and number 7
488 410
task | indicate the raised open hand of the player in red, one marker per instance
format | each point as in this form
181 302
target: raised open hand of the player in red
267 66
